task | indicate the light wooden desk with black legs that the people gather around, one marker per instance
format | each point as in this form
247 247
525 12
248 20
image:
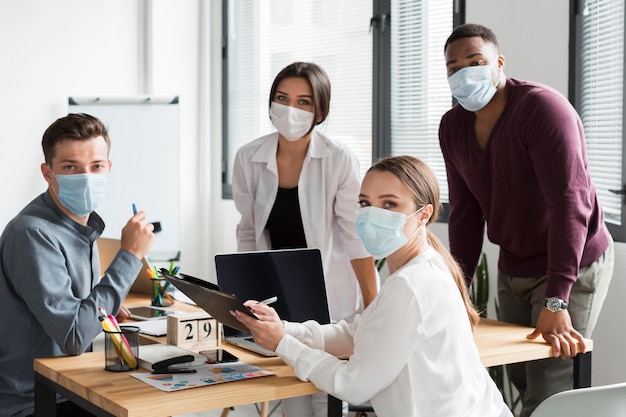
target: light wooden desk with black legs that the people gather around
84 380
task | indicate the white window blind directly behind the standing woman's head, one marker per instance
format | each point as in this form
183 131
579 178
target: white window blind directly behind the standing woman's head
264 37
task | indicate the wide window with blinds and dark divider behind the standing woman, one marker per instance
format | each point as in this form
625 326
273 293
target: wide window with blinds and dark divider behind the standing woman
385 62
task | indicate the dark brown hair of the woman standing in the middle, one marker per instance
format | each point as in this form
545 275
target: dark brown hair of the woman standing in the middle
317 78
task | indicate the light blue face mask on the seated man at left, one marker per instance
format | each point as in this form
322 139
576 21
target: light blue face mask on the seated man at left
82 193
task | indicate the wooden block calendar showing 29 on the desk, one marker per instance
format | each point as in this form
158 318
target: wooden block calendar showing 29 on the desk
193 331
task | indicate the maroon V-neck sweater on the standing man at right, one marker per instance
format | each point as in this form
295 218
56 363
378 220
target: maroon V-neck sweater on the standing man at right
531 185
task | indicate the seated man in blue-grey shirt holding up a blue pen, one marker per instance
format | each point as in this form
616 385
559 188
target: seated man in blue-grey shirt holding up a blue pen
50 284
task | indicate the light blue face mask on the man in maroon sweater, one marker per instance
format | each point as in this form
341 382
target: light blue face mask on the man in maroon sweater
472 87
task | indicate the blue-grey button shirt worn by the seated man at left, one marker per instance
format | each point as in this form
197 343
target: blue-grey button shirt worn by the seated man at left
50 291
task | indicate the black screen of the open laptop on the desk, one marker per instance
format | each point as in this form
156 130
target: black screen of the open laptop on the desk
295 276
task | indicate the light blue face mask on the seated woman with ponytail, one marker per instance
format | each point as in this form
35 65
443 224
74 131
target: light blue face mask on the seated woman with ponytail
382 231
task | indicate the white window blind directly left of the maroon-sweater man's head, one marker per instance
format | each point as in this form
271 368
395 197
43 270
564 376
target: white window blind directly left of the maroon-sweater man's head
420 94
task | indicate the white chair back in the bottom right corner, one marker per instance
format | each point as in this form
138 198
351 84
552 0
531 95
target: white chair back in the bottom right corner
605 401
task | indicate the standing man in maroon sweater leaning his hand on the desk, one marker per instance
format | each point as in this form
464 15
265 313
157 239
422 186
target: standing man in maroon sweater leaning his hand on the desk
516 161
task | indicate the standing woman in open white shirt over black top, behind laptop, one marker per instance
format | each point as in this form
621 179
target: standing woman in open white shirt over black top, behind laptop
297 188
